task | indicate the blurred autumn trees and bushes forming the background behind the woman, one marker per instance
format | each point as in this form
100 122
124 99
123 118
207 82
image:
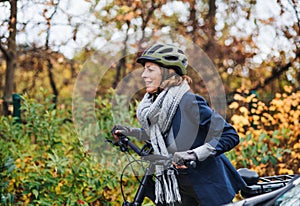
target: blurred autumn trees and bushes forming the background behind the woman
253 44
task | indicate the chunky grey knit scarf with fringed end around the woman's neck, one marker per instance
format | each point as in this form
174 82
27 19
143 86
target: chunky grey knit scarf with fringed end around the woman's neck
156 118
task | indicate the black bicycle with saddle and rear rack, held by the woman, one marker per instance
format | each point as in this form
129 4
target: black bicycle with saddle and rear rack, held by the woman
256 186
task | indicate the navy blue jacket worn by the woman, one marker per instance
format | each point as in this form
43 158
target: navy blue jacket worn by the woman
215 180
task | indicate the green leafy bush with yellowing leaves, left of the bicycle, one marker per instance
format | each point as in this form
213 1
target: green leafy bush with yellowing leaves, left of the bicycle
43 162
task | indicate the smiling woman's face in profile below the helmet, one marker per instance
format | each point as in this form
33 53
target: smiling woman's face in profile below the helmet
152 76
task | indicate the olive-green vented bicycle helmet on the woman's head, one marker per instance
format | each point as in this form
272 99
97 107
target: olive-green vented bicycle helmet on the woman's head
167 56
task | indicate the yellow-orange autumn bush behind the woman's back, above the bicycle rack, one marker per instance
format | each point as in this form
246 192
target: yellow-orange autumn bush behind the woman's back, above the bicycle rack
269 132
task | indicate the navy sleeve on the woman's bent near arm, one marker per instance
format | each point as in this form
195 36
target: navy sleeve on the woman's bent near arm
212 126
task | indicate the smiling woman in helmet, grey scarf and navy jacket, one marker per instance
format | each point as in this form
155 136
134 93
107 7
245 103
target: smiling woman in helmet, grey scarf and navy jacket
181 123
